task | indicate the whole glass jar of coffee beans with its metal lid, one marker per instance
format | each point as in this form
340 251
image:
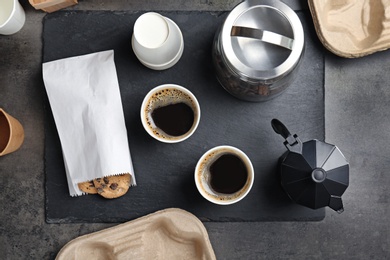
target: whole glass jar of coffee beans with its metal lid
258 49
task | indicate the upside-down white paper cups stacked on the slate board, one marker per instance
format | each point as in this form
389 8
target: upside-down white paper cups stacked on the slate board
157 41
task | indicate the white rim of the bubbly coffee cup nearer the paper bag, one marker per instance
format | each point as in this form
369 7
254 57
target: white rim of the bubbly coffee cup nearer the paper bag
182 89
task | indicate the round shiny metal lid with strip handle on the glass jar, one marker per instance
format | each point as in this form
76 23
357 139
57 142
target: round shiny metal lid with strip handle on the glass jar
262 39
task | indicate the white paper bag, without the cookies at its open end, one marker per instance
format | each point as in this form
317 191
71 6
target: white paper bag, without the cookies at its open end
85 100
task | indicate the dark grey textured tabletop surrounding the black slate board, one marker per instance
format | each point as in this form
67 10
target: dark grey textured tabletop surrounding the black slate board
357 98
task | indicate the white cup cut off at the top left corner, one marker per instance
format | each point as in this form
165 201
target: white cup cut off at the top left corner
12 17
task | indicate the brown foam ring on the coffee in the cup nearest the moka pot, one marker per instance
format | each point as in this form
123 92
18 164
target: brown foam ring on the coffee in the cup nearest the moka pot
203 175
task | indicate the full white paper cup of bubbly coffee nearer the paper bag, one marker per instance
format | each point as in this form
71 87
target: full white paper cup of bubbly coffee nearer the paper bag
170 113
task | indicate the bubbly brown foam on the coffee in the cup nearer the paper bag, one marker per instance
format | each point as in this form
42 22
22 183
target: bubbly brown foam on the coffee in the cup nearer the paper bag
165 97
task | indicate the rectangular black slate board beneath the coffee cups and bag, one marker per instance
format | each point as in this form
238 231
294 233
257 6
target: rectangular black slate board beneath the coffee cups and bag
164 172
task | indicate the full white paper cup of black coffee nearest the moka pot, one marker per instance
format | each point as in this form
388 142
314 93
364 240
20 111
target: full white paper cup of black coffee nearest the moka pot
224 175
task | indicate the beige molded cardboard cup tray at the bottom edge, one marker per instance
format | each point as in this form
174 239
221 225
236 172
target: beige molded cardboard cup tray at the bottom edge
166 234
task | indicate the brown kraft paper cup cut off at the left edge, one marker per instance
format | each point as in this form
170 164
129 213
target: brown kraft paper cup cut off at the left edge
11 133
